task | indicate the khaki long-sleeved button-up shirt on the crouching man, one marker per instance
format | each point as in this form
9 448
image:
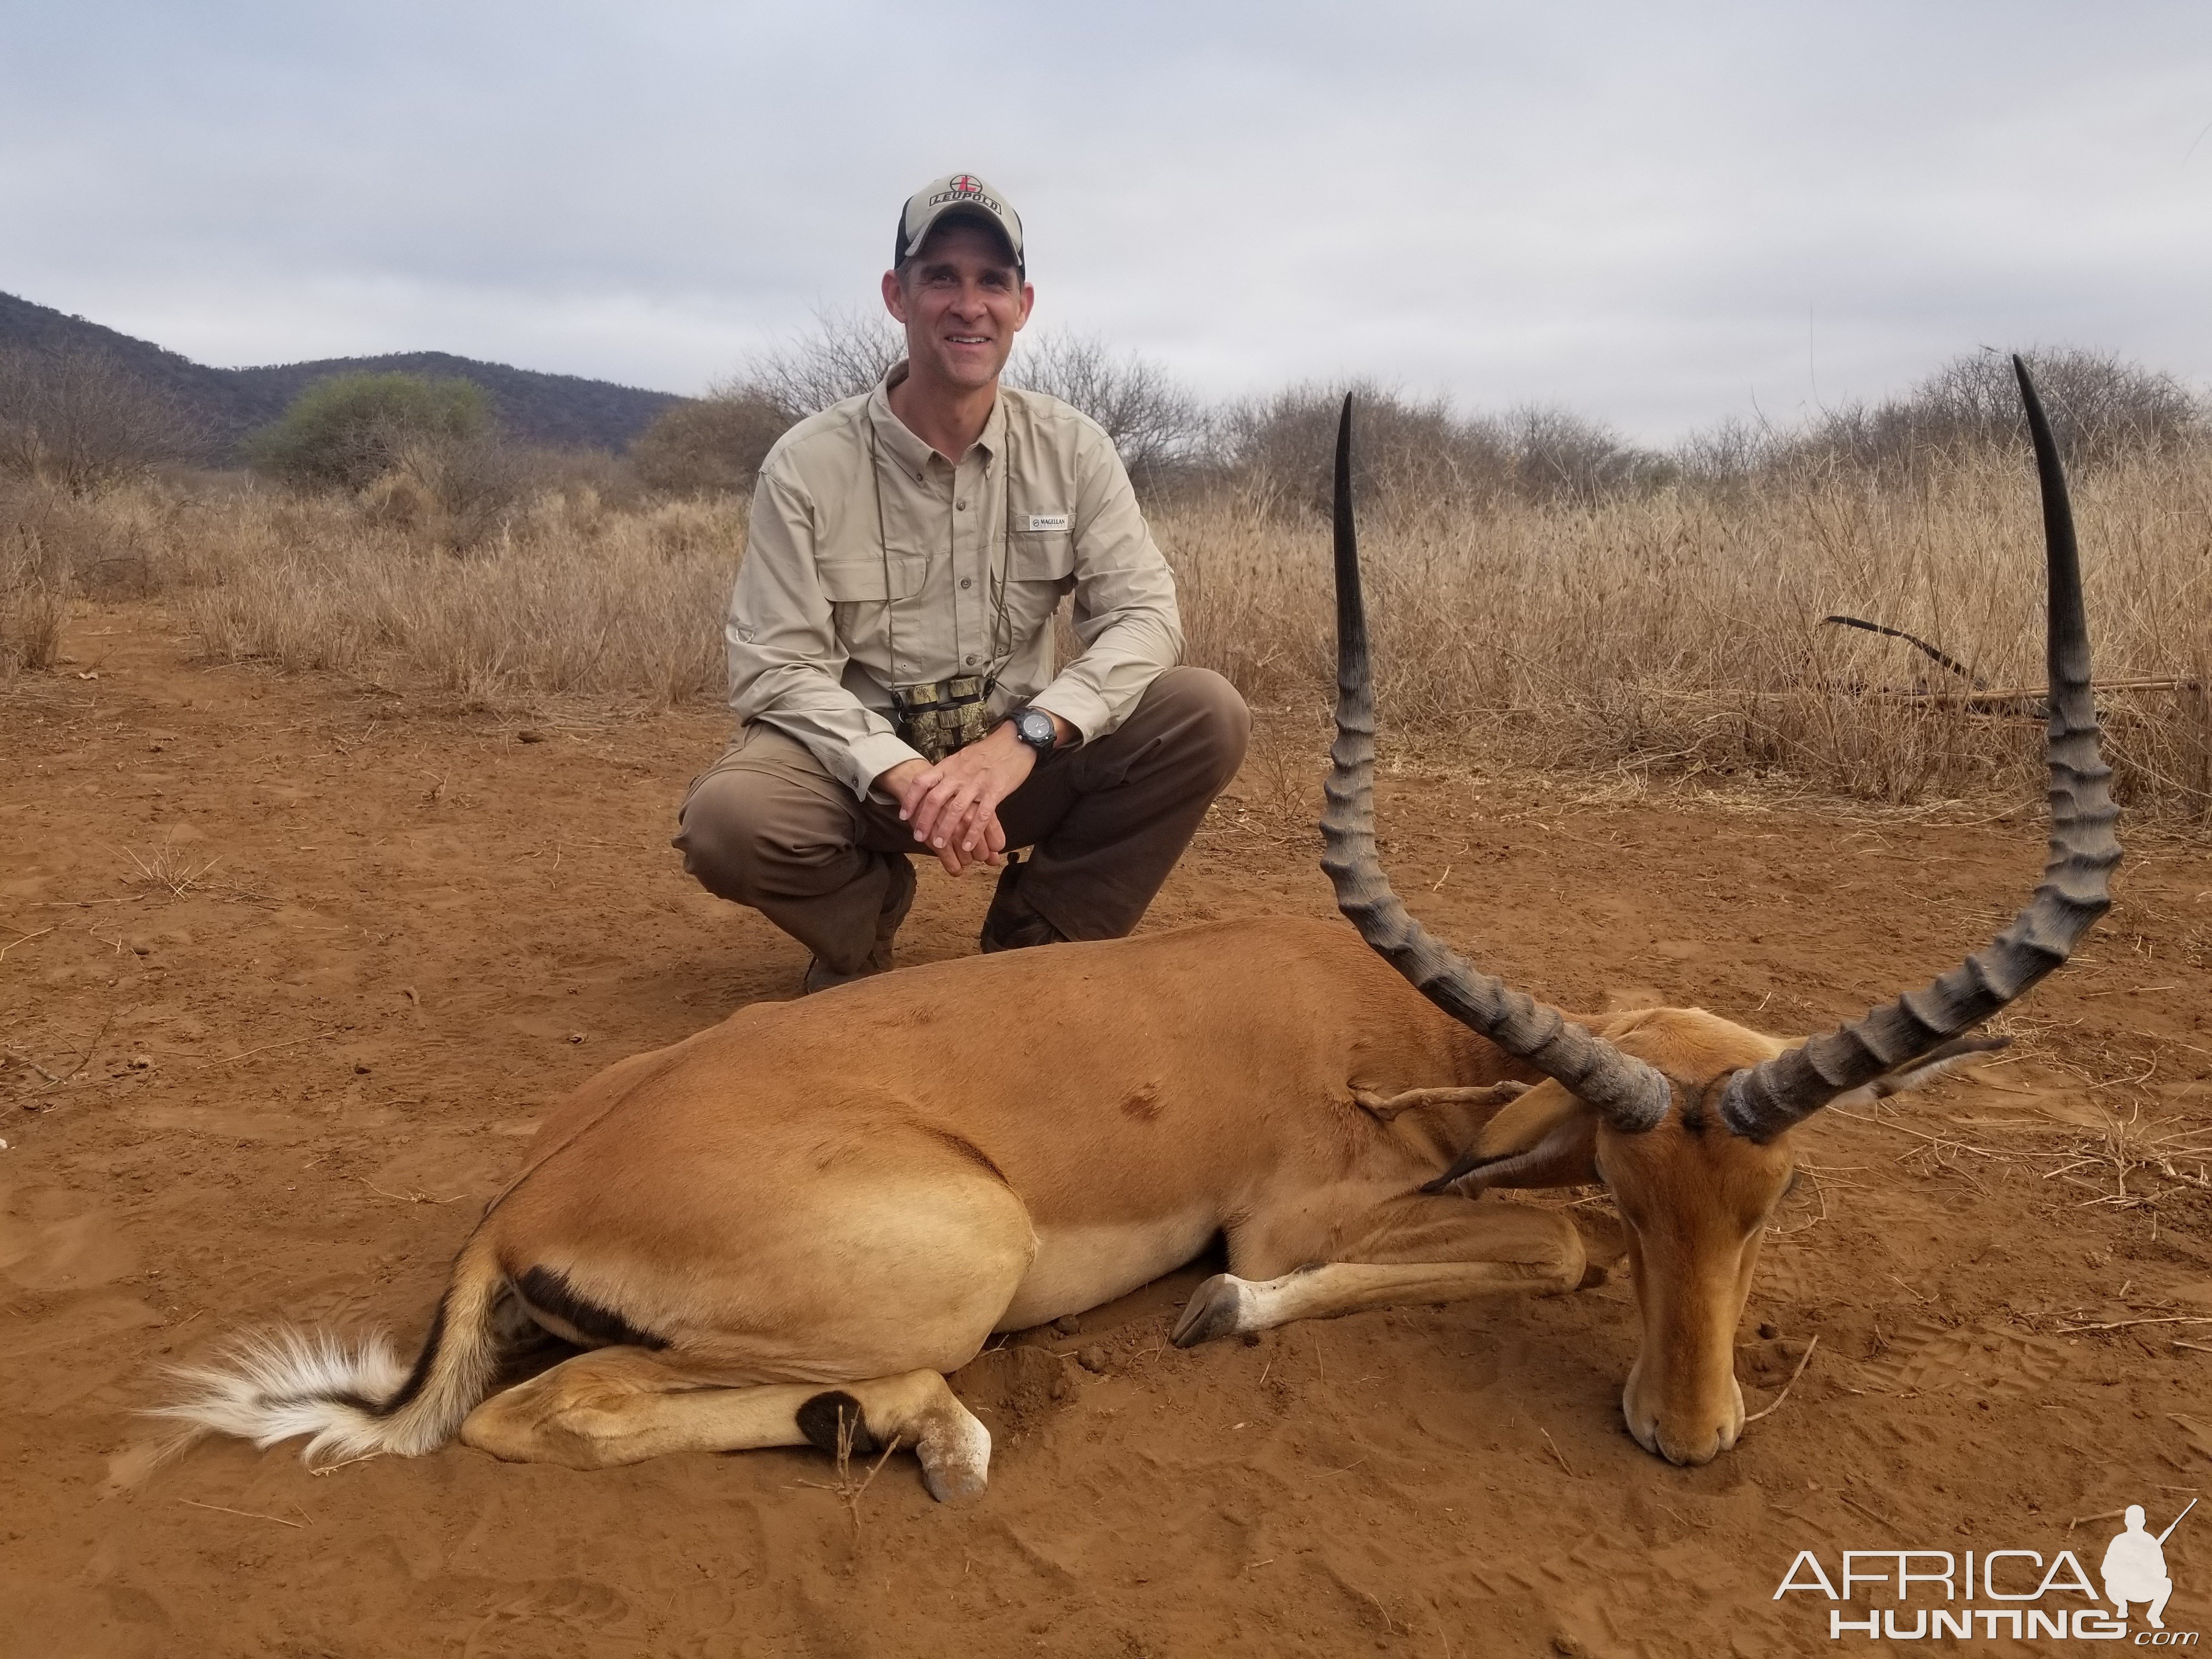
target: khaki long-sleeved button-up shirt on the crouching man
961 576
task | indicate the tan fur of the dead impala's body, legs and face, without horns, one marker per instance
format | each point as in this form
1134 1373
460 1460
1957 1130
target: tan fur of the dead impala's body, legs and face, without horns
853 1193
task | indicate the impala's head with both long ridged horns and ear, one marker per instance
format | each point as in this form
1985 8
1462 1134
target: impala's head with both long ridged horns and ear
1684 1116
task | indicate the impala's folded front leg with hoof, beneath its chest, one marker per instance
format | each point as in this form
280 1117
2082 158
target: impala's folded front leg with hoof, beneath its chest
1401 1253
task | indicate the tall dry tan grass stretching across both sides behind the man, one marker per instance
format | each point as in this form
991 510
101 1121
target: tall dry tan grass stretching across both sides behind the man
1669 632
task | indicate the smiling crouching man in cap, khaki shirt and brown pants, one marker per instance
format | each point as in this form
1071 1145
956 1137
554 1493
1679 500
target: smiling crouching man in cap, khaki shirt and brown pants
893 645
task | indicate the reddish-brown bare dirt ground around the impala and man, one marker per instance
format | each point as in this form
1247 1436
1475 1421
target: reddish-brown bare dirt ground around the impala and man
293 966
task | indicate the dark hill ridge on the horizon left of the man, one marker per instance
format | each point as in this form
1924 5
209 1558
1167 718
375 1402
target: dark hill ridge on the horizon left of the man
563 410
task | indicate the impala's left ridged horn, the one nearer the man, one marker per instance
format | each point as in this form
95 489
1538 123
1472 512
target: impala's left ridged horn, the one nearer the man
1629 1094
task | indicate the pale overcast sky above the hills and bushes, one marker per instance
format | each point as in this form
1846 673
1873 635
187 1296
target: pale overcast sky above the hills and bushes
1649 213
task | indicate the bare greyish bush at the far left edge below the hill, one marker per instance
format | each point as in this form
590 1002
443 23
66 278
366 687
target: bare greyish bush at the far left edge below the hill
79 419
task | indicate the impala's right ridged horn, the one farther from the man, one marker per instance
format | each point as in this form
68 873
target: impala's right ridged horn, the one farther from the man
2076 890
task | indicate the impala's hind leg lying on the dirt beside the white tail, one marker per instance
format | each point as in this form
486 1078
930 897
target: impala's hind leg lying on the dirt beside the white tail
623 1406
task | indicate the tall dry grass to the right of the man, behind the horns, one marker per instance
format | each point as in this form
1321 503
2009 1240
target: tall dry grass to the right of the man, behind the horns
1680 629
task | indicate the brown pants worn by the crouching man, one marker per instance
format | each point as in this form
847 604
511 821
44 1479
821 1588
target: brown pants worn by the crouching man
766 826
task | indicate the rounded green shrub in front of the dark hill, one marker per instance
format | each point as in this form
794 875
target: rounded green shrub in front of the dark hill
351 430
